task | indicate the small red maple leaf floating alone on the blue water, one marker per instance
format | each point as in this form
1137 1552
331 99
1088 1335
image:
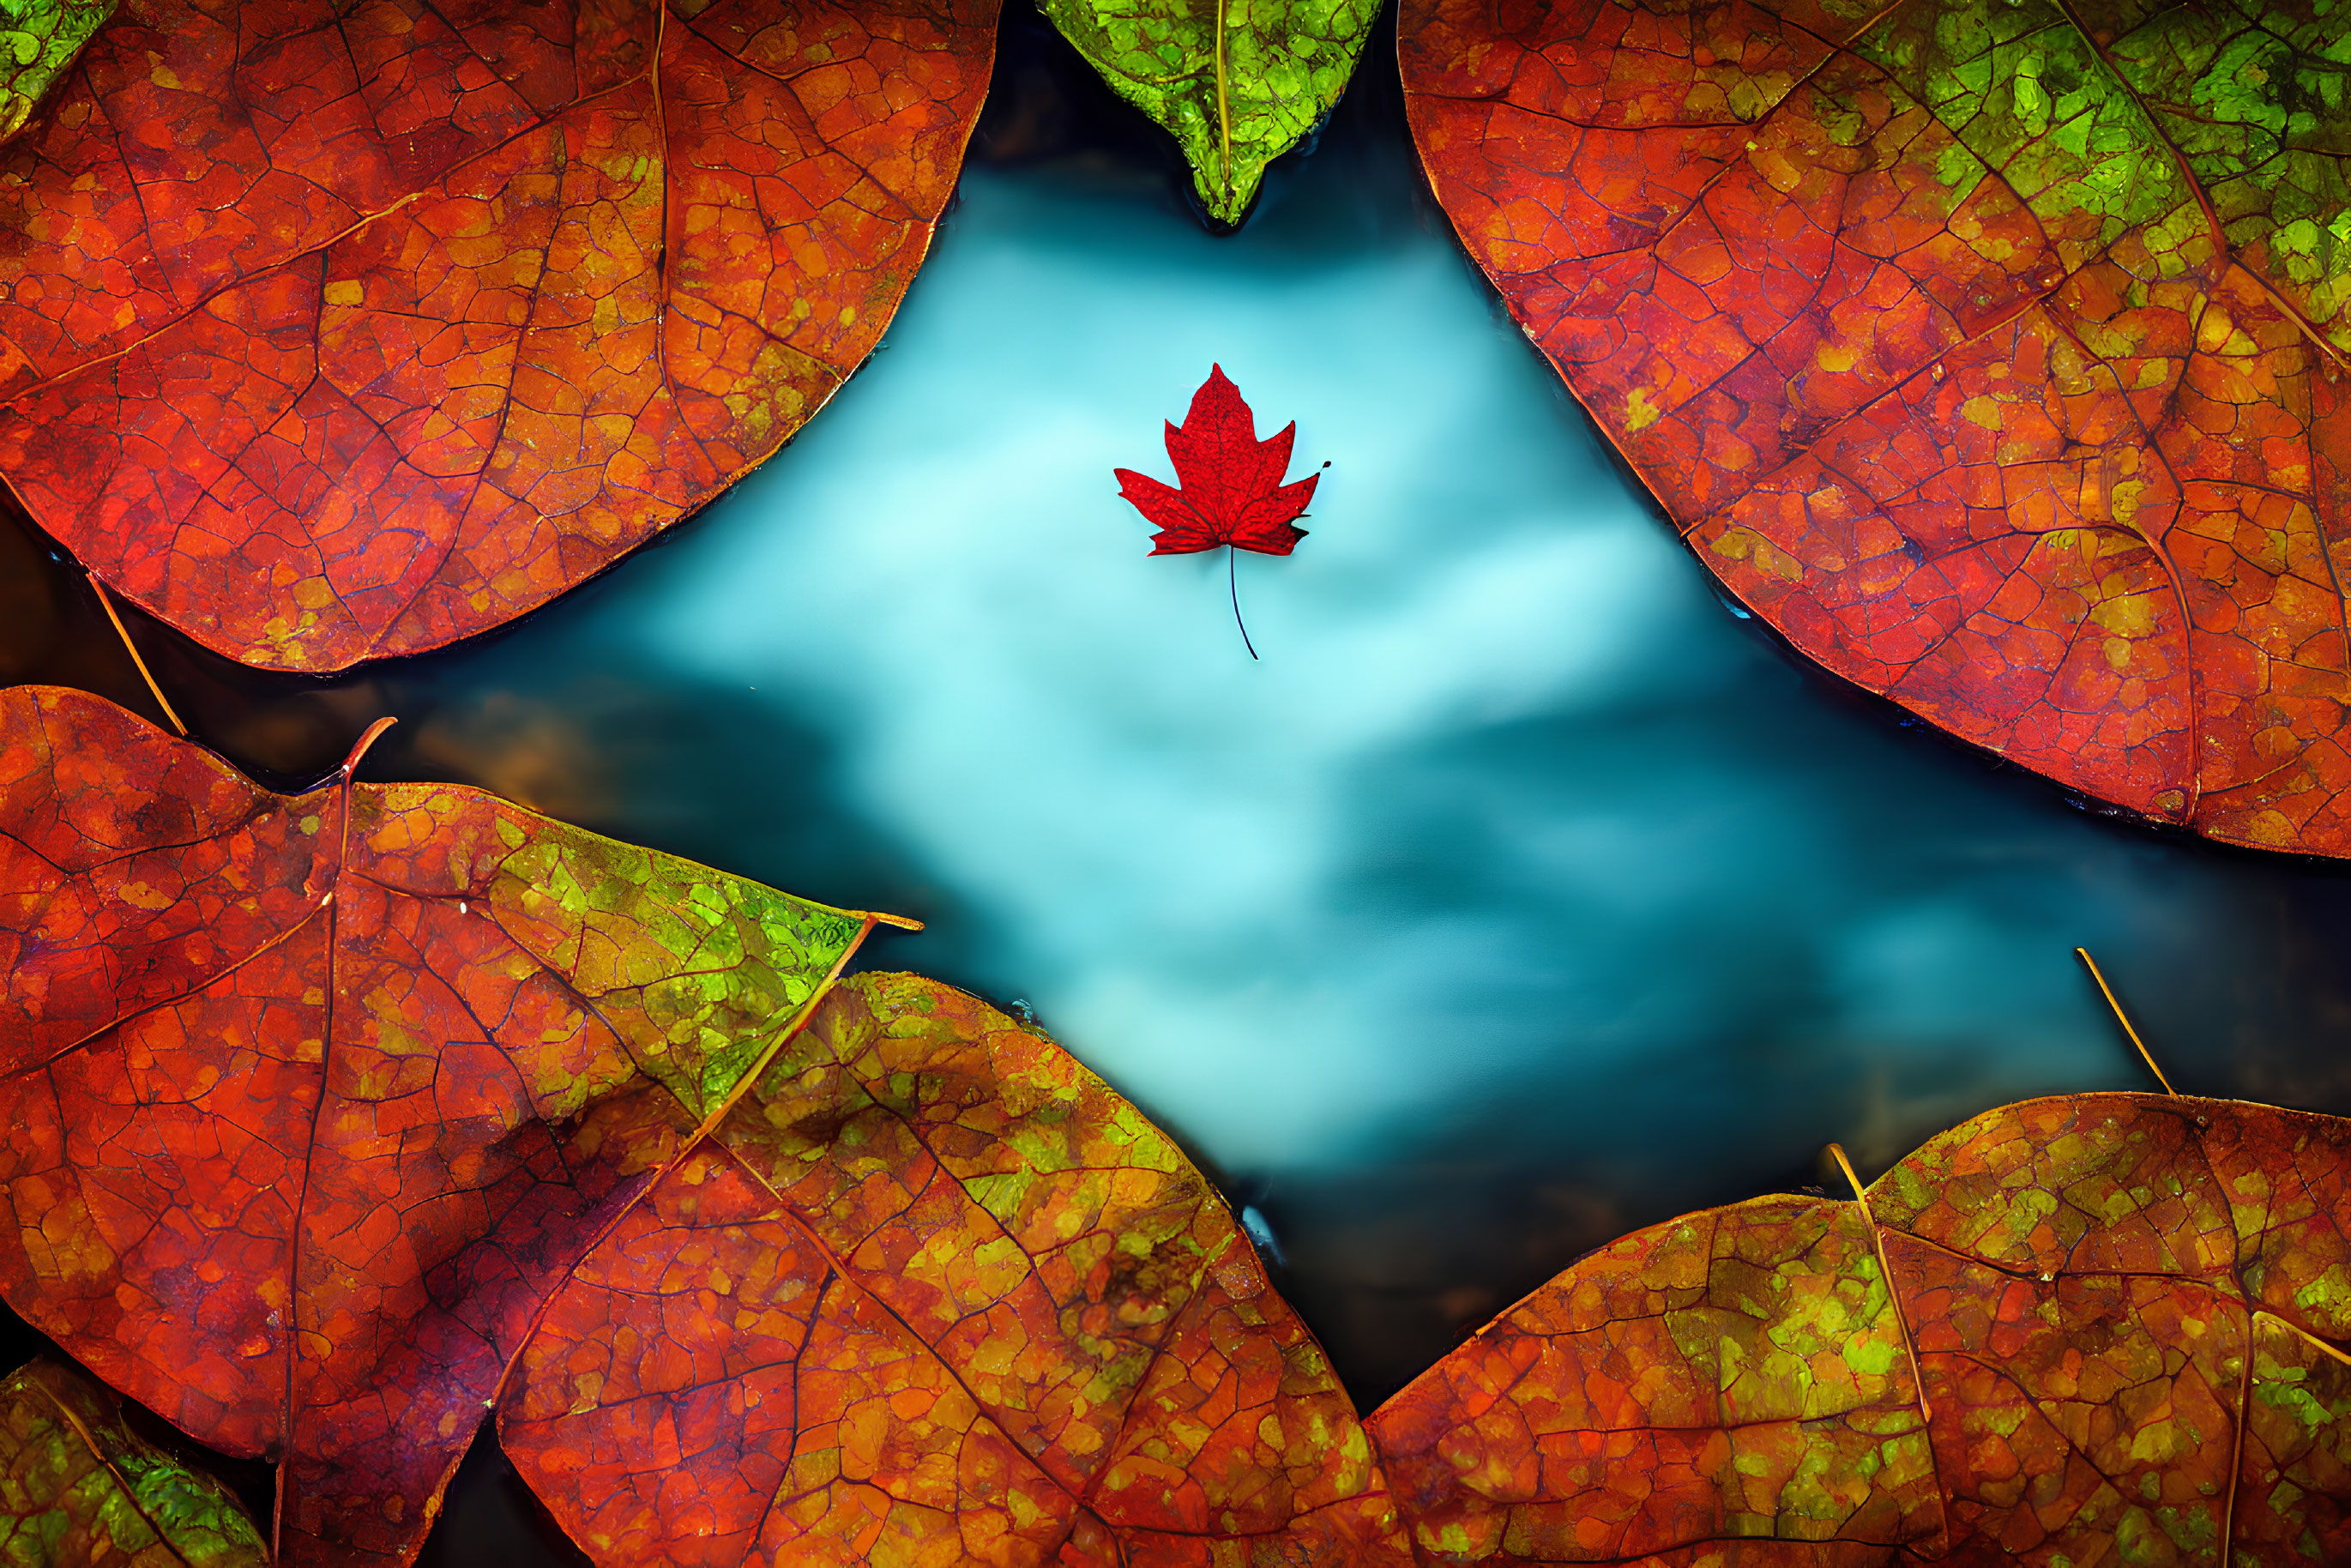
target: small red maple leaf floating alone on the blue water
1228 488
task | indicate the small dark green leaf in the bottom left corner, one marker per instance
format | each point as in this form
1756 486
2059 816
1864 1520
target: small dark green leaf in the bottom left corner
81 1489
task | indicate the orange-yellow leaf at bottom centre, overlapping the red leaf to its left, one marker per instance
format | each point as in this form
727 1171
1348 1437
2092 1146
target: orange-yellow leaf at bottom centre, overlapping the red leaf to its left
935 1294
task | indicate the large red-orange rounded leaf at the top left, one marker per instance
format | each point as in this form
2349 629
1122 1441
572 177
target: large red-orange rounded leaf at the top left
335 333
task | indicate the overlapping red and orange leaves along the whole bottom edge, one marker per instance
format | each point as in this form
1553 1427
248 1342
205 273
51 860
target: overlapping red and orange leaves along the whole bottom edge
351 1120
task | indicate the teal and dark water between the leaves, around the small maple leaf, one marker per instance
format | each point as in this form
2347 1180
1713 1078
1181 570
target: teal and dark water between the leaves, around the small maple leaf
1518 897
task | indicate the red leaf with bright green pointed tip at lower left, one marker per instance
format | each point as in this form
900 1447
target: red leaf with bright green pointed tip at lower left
314 1099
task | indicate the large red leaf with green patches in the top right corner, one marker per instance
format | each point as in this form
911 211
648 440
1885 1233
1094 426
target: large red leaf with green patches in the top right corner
1995 354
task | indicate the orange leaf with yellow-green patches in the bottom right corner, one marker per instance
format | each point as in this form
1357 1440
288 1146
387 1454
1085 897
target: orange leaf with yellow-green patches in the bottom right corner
2115 1334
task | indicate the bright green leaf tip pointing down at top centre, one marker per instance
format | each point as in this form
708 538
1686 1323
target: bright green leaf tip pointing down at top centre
1238 86
